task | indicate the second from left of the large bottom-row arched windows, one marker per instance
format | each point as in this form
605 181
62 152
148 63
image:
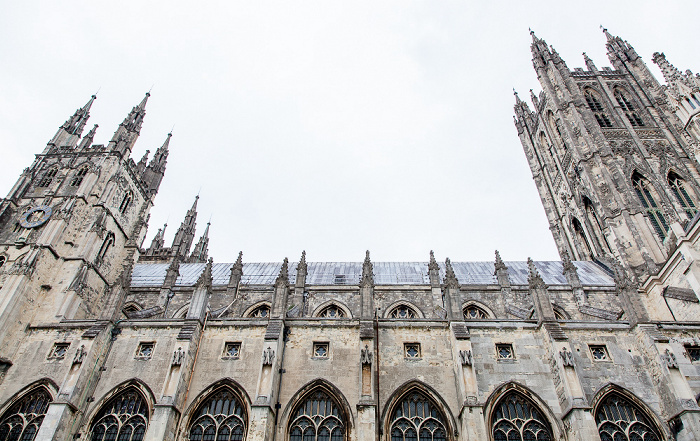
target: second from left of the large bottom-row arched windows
123 418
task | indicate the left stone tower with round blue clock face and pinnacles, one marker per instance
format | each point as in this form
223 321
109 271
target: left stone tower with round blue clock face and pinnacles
71 227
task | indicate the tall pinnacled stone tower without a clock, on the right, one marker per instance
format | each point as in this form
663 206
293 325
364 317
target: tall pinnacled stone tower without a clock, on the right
617 176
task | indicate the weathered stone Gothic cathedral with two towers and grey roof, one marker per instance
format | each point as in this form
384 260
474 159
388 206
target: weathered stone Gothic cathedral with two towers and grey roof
106 338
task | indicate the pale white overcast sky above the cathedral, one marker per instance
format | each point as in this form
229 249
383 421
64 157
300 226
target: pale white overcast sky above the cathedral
328 126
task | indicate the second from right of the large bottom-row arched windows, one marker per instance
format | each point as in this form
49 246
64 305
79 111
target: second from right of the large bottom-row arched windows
516 418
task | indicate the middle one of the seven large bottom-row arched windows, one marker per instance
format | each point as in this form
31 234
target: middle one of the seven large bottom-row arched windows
317 418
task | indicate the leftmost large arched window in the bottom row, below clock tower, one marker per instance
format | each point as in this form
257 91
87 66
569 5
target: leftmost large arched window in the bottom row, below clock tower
23 419
